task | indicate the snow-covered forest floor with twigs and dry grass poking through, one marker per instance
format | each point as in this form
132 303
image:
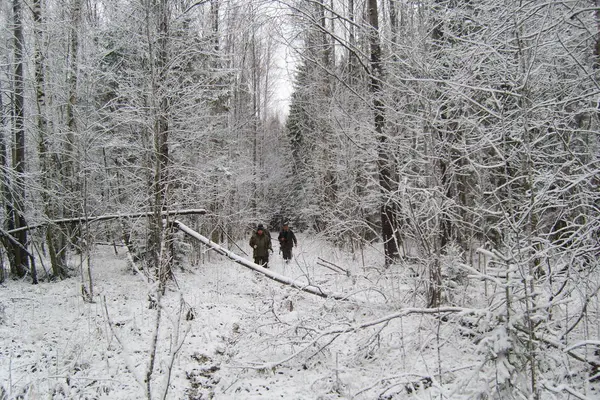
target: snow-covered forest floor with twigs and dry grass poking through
250 337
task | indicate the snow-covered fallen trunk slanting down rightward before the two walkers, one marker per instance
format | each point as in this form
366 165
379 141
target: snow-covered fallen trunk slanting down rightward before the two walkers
255 267
